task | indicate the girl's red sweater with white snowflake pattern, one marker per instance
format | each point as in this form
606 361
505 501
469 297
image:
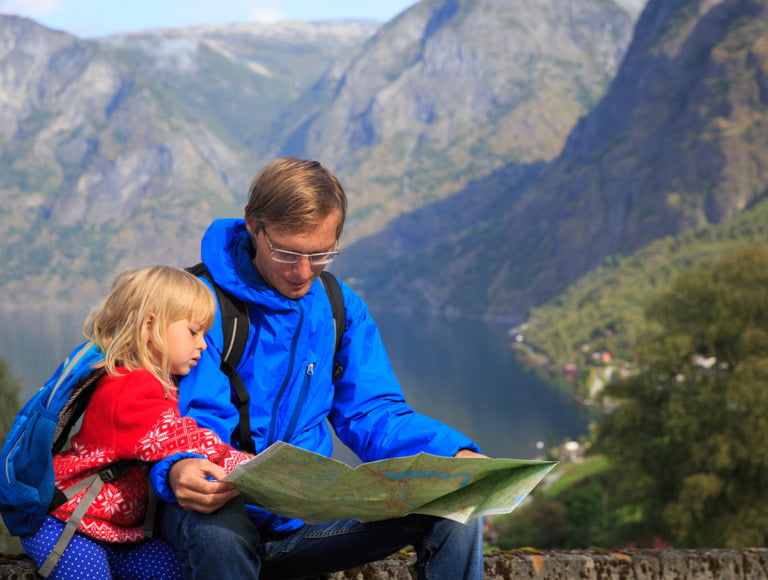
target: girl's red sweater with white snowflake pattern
129 417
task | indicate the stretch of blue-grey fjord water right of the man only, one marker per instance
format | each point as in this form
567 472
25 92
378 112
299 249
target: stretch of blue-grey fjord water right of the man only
464 373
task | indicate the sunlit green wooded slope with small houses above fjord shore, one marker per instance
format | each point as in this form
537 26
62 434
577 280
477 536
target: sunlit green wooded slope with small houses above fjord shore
604 311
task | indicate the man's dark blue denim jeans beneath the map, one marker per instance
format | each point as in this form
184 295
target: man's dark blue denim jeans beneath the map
226 544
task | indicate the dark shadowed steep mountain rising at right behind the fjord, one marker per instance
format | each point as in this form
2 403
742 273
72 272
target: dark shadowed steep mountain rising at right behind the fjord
679 141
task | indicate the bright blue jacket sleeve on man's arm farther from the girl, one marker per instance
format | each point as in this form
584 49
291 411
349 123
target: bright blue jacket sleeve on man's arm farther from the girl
370 413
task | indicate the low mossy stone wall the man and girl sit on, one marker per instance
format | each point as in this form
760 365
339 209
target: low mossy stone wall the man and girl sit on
751 564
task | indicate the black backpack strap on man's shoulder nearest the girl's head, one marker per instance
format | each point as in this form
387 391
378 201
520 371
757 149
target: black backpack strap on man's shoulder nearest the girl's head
235 327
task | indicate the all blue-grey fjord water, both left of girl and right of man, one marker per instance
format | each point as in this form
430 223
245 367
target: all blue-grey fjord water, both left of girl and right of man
460 372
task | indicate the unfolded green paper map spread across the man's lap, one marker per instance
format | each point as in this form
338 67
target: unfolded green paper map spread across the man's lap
293 482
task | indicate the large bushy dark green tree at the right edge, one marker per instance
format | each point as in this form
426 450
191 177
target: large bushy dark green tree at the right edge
687 440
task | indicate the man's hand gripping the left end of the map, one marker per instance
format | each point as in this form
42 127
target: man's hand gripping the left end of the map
189 481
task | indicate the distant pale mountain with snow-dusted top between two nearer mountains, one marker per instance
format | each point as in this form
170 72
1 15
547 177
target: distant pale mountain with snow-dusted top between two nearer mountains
237 78
